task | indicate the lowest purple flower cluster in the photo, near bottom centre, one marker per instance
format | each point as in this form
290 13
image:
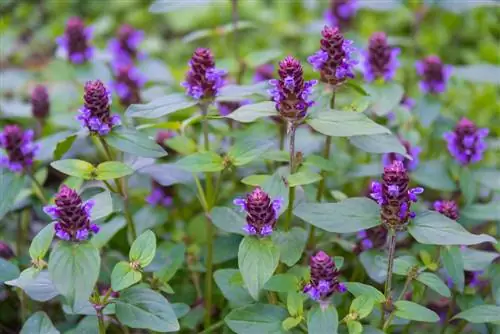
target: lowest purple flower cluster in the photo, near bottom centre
324 278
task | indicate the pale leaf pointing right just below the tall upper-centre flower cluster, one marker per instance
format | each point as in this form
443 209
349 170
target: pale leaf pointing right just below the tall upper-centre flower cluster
345 124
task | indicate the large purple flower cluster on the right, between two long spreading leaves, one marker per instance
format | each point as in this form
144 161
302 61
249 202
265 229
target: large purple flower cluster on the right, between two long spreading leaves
394 195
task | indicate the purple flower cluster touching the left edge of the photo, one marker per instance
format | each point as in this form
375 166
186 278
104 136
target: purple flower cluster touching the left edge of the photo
19 147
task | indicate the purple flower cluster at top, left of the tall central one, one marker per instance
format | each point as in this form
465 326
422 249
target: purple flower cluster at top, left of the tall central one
203 80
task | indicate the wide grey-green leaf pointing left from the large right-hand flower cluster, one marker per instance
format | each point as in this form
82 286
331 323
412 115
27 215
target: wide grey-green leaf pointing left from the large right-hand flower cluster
351 215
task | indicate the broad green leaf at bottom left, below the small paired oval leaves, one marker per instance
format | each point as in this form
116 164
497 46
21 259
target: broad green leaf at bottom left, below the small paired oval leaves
139 307
